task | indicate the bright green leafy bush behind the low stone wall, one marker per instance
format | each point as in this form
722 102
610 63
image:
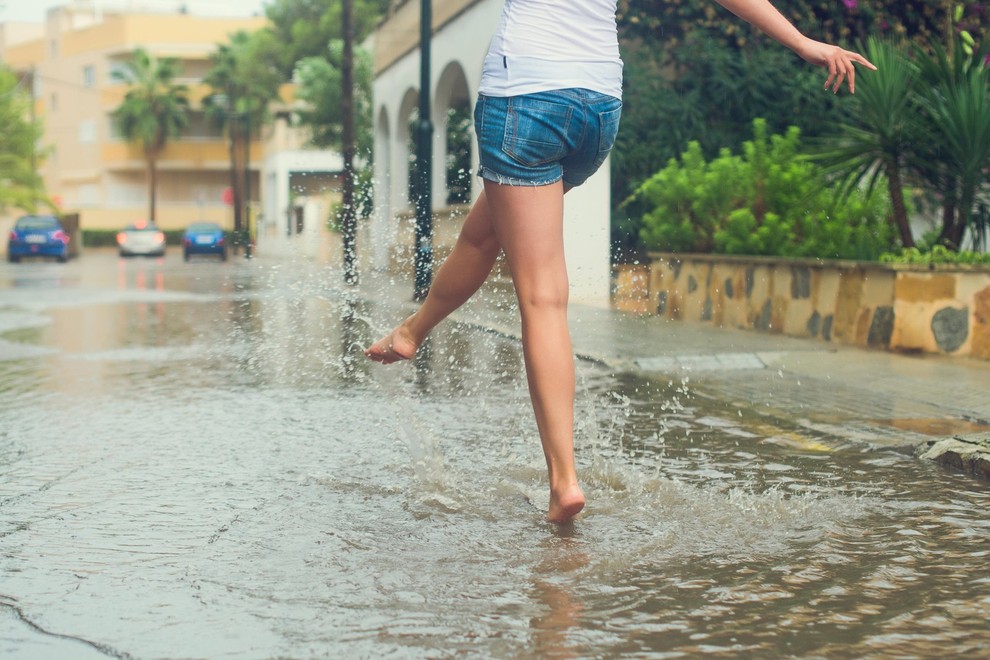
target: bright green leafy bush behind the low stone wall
768 201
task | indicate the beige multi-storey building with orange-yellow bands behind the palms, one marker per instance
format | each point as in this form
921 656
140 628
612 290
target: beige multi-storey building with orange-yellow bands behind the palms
69 62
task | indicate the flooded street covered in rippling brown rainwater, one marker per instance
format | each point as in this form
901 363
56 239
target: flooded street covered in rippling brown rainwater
197 461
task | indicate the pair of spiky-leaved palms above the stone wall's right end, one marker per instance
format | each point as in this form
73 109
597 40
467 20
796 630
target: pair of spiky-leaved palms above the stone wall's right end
923 121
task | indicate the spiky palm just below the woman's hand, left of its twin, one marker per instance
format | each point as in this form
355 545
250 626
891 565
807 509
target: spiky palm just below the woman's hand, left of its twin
880 135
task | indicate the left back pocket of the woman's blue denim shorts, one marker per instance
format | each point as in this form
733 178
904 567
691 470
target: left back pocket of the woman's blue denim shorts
536 130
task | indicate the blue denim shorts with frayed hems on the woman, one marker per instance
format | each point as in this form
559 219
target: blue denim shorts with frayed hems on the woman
539 139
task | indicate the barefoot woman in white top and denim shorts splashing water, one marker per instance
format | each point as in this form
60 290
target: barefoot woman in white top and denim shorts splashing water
546 117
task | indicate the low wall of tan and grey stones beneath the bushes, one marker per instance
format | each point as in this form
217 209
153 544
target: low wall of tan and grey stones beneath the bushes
892 306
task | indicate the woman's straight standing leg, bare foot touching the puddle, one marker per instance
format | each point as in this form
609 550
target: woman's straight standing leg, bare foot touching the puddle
529 224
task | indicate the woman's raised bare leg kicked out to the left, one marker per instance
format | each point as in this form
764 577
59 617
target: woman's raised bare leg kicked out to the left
462 273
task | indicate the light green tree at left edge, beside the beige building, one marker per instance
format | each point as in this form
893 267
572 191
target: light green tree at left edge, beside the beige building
20 185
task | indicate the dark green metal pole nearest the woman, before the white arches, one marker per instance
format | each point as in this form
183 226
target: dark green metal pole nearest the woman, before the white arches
424 161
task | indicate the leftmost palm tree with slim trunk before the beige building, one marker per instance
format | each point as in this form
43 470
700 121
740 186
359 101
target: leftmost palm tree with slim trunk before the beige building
154 111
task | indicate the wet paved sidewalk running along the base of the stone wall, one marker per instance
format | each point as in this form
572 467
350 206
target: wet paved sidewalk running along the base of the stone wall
846 394
